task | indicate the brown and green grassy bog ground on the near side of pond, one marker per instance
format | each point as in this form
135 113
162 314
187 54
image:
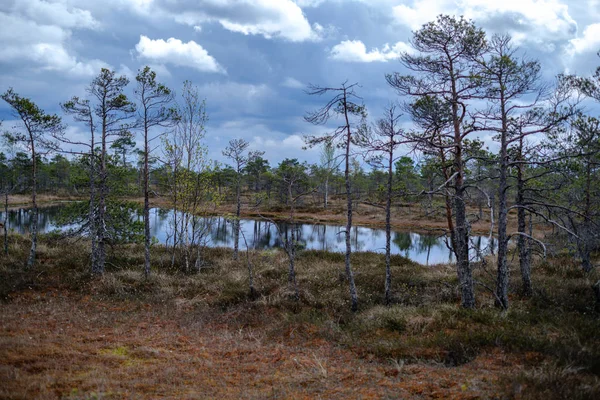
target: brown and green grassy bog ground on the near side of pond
64 334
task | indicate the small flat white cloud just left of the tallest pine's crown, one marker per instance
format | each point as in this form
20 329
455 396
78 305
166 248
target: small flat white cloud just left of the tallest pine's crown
356 51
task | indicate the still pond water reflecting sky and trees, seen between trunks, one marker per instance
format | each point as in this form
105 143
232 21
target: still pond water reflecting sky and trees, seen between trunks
426 249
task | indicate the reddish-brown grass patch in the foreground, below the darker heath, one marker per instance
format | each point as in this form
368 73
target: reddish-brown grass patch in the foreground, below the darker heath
60 345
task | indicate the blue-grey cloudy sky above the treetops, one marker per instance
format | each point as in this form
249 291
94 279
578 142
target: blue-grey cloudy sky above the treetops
252 59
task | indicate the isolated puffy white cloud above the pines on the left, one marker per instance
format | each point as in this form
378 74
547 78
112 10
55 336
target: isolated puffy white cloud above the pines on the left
174 51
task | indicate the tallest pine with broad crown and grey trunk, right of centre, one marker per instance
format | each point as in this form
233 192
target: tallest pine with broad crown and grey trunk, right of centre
448 48
